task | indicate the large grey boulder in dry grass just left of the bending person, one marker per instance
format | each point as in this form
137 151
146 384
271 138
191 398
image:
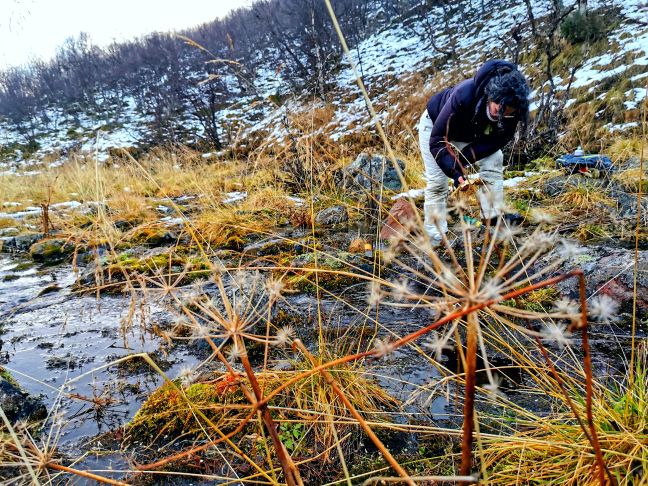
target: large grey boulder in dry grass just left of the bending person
366 173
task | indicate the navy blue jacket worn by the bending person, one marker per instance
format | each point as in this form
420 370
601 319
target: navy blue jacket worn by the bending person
459 115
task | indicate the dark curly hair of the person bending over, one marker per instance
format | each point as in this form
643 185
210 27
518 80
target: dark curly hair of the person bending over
510 89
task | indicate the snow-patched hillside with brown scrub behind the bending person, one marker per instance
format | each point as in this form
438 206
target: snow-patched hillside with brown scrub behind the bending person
600 84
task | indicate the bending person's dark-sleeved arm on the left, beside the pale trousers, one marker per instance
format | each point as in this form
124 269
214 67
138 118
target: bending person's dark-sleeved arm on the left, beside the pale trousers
447 157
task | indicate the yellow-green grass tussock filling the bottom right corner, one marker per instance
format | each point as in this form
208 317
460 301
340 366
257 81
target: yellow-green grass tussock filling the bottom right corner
553 450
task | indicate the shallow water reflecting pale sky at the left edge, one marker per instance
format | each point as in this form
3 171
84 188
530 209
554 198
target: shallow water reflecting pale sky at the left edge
51 342
